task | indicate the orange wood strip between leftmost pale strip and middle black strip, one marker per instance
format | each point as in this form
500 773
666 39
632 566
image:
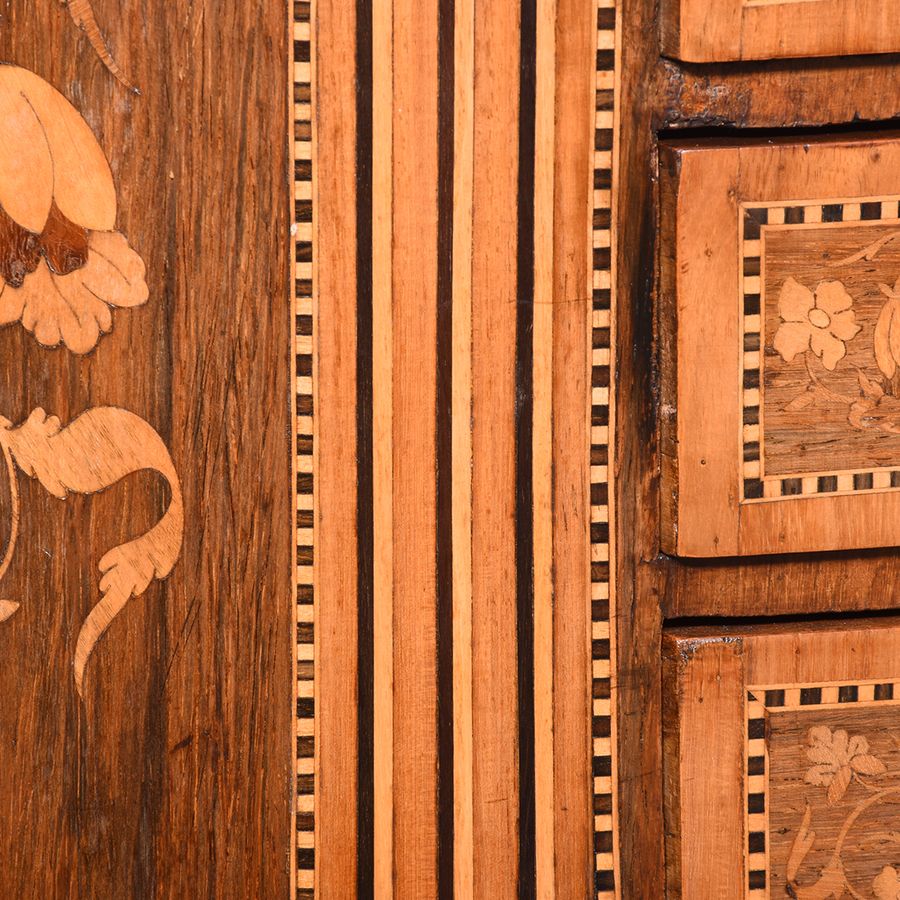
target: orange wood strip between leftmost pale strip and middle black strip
415 273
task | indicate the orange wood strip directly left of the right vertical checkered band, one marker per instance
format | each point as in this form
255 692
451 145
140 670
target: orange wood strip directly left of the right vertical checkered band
573 383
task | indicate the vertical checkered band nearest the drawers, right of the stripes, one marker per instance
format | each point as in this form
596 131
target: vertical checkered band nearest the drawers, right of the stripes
603 657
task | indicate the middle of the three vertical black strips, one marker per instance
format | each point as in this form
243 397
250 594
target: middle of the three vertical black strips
444 448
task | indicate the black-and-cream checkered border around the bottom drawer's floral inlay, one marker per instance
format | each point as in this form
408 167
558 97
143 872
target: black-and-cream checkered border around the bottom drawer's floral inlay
760 702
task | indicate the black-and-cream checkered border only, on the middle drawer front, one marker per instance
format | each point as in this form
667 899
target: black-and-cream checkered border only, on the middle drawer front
755 485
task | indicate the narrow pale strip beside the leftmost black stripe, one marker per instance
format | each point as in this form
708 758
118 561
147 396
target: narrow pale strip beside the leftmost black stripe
383 459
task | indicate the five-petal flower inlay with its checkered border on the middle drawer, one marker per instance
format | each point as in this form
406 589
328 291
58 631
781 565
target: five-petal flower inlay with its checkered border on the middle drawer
821 344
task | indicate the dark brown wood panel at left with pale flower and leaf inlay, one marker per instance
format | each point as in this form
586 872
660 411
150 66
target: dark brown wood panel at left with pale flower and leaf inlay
158 764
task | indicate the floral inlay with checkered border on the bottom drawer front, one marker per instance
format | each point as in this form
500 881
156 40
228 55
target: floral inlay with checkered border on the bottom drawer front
822 783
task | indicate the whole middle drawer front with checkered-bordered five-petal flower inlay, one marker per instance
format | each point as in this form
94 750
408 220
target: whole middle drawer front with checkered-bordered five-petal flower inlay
780 346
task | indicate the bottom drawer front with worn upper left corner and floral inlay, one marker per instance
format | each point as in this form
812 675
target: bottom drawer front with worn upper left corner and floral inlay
782 763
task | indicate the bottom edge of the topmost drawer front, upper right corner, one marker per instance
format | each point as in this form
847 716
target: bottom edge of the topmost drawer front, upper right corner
700 31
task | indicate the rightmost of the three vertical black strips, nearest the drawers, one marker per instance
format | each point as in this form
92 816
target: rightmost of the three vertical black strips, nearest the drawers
524 423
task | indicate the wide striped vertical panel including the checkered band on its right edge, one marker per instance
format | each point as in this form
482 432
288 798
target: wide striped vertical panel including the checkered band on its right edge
466 624
